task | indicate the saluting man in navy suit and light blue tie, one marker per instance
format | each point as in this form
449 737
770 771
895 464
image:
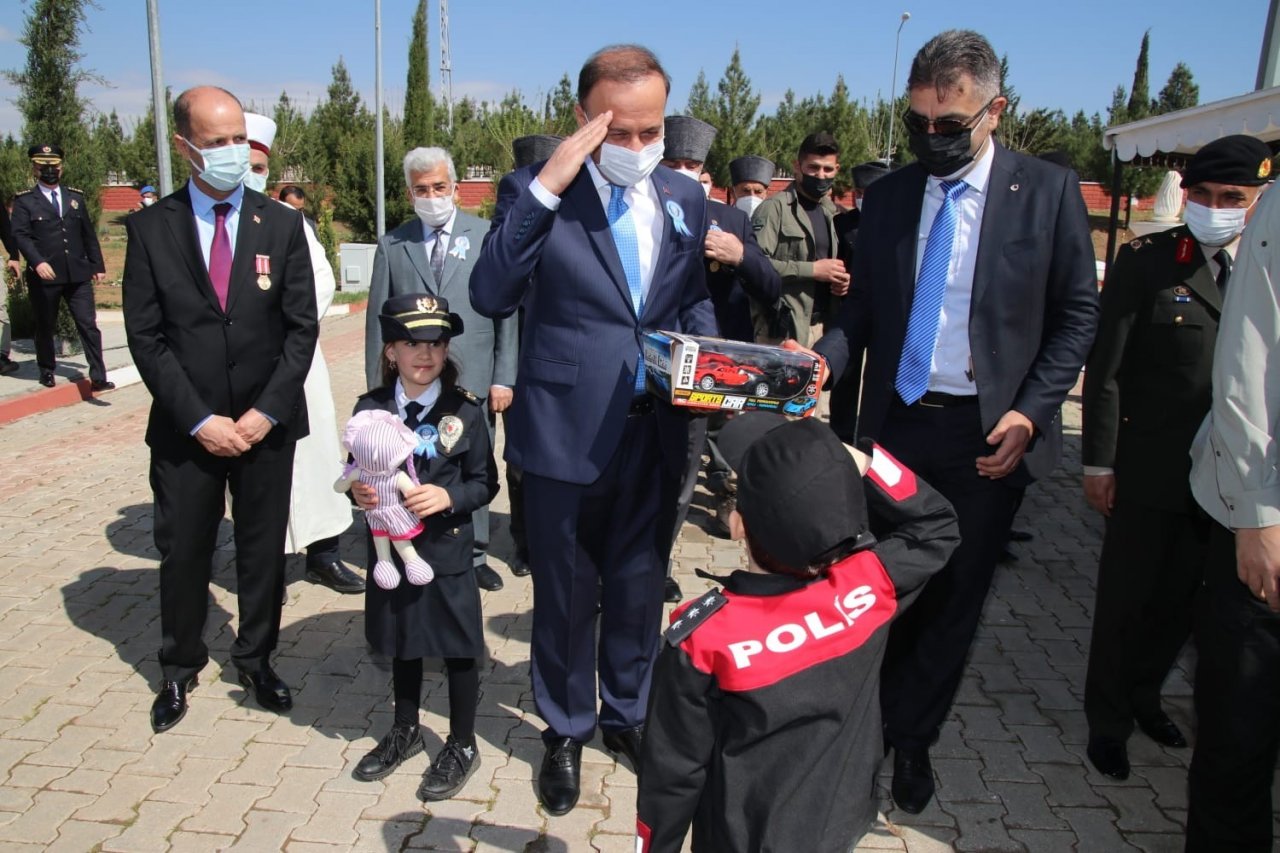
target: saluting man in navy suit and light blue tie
598 244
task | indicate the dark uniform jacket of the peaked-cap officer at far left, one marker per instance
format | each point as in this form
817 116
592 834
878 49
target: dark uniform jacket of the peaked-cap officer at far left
67 243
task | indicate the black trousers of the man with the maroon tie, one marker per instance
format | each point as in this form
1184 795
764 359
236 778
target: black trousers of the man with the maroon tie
190 490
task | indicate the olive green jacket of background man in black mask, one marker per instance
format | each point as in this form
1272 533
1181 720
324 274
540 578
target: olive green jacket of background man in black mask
785 234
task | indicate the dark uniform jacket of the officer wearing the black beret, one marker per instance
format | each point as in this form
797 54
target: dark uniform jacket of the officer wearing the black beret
1148 386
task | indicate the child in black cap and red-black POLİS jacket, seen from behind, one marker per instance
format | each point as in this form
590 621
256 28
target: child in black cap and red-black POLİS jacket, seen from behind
765 724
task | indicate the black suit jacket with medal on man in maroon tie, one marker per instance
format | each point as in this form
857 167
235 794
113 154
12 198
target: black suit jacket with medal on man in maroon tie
195 358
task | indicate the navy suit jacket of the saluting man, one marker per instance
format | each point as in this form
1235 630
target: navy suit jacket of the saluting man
582 336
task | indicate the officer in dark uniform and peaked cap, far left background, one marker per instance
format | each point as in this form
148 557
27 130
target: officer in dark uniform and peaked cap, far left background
56 235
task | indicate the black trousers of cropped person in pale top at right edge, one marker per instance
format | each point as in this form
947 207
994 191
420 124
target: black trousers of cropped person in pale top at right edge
1238 708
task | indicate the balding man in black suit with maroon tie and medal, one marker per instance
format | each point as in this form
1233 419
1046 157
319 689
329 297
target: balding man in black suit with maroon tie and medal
221 313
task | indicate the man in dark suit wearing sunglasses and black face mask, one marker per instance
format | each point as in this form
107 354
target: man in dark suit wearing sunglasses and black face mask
975 297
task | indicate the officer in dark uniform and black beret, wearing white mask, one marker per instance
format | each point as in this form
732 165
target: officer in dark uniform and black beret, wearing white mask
1146 393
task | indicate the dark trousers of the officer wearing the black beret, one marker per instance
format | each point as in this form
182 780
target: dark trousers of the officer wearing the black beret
1153 564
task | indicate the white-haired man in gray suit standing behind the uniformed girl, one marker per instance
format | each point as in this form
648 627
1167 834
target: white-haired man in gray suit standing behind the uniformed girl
435 254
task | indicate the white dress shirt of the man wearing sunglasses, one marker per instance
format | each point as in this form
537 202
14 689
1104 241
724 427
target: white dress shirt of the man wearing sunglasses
950 372
